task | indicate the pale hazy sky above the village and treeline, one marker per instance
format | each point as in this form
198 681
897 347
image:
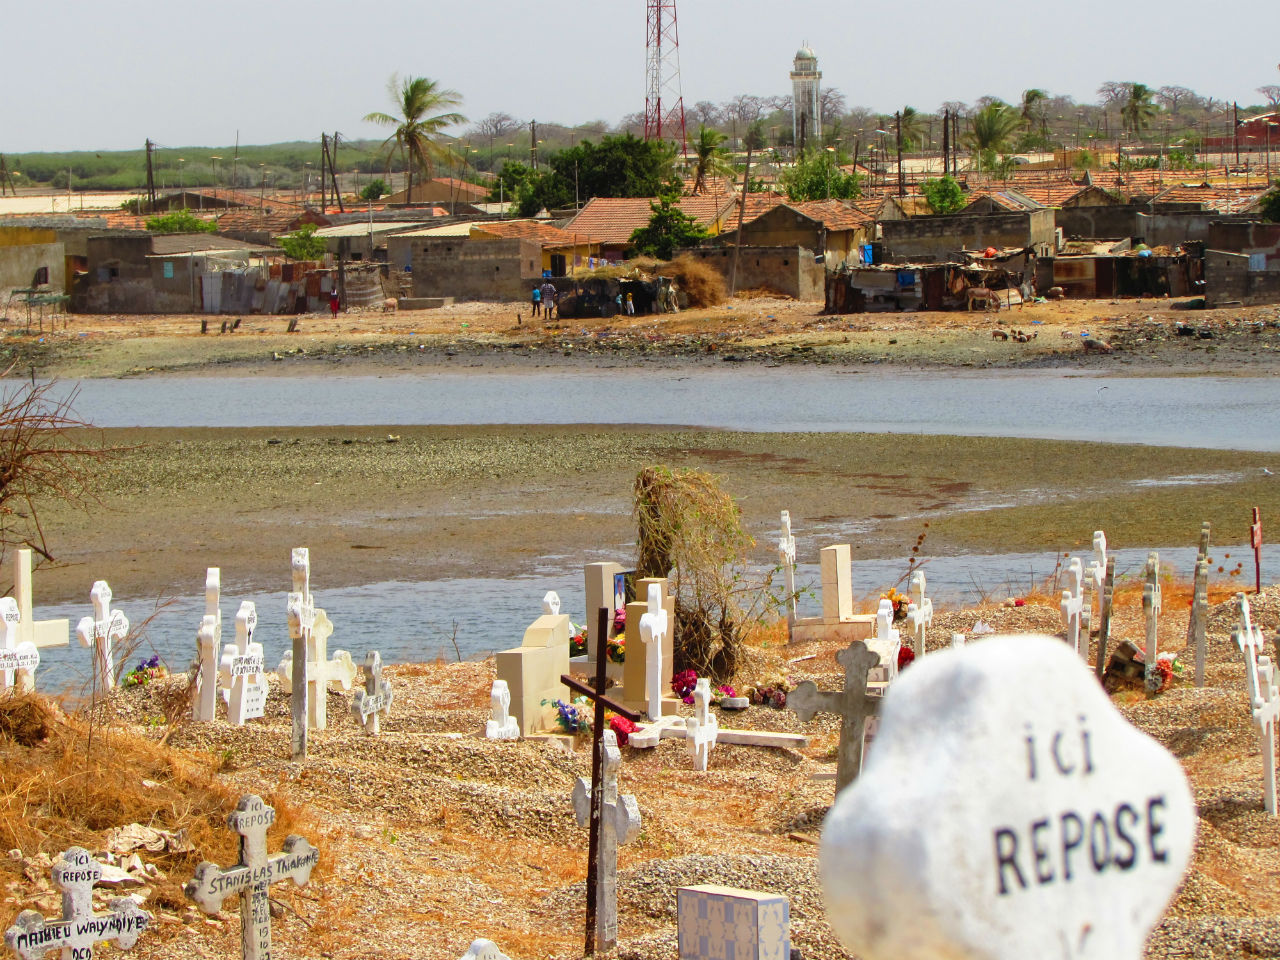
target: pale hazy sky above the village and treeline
98 76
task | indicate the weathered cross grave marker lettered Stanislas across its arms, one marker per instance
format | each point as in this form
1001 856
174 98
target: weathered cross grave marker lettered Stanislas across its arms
254 876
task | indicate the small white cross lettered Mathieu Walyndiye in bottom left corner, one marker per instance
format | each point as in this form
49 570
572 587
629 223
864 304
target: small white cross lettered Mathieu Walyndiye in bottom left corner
80 929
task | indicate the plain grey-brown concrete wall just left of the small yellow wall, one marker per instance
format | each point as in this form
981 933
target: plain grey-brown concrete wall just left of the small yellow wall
465 269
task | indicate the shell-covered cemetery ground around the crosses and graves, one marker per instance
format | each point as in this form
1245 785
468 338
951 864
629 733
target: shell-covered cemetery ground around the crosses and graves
432 836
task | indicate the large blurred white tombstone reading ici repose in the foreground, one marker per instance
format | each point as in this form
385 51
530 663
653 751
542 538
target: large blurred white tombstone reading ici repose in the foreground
1073 847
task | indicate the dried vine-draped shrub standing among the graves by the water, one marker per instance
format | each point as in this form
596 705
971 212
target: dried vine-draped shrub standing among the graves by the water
692 532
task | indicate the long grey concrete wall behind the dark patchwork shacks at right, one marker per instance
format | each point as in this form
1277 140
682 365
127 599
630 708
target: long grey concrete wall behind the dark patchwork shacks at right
929 239
